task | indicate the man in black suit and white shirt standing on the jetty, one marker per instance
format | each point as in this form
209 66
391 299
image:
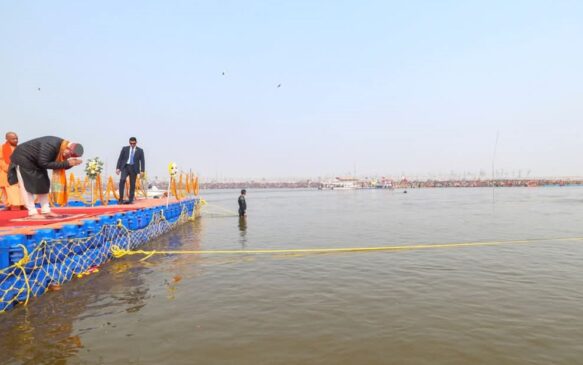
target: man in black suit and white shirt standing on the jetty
131 162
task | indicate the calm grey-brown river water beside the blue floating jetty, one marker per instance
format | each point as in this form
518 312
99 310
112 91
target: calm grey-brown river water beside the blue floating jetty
512 303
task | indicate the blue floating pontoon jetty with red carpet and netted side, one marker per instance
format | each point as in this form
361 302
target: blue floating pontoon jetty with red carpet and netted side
36 256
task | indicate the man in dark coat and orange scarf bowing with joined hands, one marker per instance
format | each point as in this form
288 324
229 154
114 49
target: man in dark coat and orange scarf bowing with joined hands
30 162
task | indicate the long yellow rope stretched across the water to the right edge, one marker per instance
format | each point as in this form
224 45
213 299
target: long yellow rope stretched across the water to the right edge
119 252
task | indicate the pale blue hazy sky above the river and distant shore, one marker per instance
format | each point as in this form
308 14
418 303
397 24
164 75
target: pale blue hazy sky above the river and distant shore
380 87
